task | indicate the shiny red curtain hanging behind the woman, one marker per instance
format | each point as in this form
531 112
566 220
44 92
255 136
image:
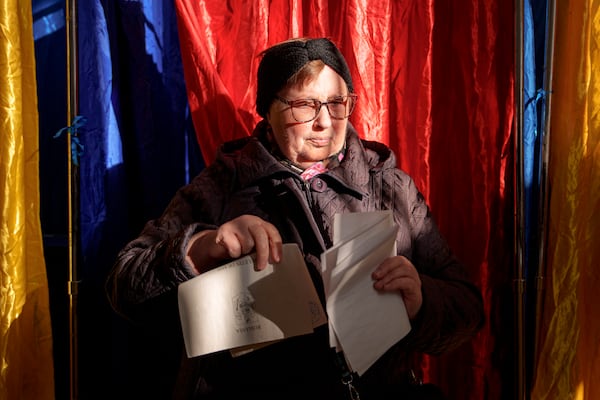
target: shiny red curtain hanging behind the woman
435 82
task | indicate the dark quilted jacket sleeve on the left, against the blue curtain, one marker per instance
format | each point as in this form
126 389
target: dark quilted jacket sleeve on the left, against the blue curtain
148 270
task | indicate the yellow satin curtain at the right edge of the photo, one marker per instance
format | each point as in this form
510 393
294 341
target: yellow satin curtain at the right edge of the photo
569 358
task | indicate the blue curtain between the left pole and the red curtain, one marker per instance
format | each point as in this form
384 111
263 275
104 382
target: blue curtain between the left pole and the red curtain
138 148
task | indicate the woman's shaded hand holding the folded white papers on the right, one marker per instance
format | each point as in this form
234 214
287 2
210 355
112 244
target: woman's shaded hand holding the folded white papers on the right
399 274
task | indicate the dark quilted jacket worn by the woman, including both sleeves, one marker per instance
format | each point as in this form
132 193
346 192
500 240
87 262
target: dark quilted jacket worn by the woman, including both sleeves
247 179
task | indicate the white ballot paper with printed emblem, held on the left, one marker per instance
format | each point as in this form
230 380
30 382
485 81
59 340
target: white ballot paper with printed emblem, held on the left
234 307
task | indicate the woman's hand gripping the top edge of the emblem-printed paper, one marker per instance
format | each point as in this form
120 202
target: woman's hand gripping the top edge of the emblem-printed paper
233 239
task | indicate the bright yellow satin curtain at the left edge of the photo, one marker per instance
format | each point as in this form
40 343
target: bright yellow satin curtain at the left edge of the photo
26 364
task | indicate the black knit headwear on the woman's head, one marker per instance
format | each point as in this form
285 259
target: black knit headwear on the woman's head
281 61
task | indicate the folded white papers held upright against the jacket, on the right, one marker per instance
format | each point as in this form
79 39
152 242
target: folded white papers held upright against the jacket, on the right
363 322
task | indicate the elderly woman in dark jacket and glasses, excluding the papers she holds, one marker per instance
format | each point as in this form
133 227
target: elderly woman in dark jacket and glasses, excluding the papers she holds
303 164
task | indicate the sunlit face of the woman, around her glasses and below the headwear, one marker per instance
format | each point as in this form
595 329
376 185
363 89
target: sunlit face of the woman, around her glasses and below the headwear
309 142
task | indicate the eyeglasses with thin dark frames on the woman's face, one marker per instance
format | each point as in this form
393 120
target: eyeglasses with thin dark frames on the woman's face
306 110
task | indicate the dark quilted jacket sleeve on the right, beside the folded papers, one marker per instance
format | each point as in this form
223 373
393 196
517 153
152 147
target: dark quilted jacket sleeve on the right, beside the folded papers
452 310
